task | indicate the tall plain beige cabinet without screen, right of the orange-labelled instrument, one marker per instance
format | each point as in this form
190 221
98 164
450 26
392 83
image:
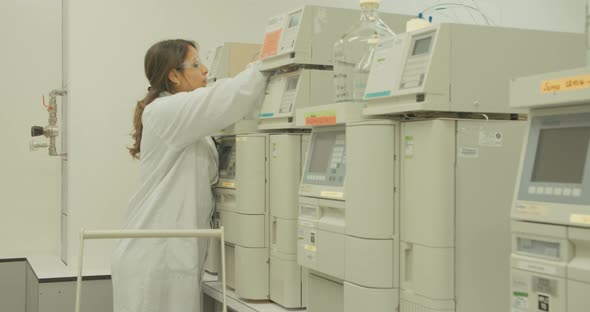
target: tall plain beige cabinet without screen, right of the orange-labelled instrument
456 176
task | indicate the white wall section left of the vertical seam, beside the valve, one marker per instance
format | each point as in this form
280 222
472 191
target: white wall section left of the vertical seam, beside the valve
30 63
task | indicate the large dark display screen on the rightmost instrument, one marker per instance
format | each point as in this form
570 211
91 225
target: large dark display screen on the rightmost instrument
561 155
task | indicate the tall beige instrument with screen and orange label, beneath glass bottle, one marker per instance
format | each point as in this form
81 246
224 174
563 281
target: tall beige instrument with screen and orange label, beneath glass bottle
349 214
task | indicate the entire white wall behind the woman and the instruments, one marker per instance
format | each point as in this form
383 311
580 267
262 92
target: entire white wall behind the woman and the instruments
107 42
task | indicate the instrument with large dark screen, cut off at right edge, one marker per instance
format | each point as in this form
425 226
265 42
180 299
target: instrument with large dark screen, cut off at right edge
550 261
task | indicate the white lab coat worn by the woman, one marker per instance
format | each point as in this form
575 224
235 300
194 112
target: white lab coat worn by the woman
177 167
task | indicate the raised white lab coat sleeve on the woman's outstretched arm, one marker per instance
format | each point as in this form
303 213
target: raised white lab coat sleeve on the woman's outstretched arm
184 118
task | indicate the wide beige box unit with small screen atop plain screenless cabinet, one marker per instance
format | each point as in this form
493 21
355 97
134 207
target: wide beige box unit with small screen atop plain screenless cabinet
462 68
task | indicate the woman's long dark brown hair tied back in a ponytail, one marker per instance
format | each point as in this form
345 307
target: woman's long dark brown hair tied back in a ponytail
160 59
